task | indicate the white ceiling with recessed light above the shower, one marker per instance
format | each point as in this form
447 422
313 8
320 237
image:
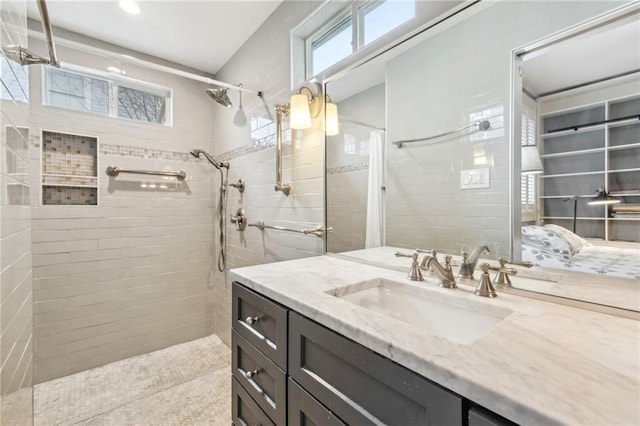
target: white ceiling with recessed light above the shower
201 34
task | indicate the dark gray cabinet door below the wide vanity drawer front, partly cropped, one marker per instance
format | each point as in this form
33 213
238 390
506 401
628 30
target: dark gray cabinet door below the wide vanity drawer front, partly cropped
305 410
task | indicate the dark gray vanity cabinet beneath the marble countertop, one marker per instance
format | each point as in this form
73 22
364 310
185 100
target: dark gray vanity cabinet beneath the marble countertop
290 370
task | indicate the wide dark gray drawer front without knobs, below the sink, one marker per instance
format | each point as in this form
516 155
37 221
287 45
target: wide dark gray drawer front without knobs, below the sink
361 387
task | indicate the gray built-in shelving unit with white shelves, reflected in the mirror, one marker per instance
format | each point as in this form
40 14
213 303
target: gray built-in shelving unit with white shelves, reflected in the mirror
602 150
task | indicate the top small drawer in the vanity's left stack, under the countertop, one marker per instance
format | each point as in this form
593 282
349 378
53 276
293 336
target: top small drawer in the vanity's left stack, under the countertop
262 322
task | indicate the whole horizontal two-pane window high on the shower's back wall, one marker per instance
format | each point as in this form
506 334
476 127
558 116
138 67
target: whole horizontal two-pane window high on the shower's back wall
102 94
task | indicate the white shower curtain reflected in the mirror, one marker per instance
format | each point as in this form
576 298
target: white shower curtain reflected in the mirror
375 202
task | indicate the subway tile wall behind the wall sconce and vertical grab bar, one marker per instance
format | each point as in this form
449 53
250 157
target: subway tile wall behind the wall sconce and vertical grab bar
263 64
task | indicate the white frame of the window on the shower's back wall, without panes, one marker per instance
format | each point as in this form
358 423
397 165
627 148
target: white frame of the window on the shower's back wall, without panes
114 82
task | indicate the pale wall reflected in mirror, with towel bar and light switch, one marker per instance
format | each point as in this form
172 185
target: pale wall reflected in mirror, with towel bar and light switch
456 77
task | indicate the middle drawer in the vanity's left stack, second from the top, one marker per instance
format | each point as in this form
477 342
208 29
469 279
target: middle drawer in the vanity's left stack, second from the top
262 379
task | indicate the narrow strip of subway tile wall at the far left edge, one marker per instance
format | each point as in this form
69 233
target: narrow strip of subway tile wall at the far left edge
16 336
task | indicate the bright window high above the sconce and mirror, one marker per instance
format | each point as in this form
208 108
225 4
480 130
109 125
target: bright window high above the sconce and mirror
350 29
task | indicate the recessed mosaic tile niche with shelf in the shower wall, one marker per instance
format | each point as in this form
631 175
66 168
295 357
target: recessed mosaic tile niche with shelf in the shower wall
69 169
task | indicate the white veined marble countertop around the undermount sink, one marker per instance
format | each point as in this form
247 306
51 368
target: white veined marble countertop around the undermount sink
544 364
